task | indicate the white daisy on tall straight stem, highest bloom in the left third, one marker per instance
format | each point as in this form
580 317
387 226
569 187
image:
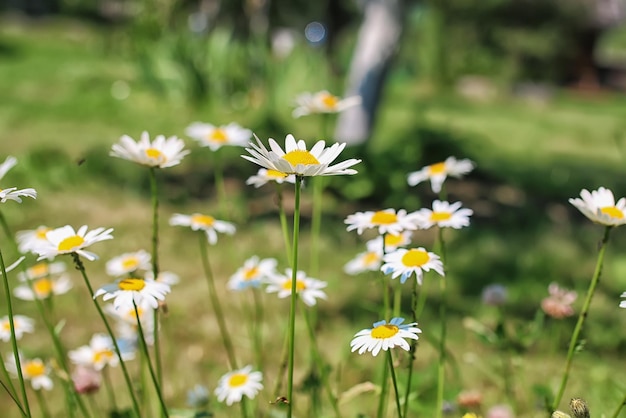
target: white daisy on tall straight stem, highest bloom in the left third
161 152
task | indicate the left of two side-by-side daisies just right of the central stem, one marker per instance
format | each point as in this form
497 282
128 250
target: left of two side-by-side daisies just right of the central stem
387 221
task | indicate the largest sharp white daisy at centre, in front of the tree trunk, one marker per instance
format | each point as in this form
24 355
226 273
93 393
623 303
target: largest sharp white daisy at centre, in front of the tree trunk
297 160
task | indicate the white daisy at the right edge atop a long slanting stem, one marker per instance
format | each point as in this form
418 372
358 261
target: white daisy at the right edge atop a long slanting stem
600 207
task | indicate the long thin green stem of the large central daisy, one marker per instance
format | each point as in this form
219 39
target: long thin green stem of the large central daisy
294 295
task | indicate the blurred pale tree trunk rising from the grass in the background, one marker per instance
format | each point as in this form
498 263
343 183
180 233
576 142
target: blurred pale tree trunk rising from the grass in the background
377 42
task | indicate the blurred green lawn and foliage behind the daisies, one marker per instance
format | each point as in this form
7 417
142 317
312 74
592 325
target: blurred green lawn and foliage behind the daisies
532 91
